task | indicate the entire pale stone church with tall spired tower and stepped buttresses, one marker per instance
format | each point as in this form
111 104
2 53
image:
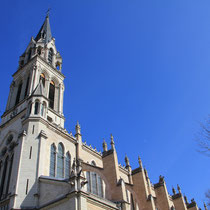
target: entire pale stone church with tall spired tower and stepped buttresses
42 166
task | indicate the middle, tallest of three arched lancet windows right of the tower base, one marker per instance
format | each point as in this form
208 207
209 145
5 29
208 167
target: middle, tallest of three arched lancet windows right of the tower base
60 161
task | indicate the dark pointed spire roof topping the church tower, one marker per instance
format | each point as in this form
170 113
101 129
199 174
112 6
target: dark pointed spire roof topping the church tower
45 31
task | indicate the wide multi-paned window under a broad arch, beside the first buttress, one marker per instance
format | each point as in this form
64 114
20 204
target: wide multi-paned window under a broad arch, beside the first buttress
95 184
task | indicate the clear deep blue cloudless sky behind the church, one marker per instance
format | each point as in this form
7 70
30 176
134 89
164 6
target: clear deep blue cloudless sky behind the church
139 69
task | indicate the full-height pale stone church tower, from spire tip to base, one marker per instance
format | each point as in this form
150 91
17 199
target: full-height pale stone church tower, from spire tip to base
34 110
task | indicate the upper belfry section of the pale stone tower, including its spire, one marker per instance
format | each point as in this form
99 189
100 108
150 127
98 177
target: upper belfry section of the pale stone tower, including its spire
38 83
